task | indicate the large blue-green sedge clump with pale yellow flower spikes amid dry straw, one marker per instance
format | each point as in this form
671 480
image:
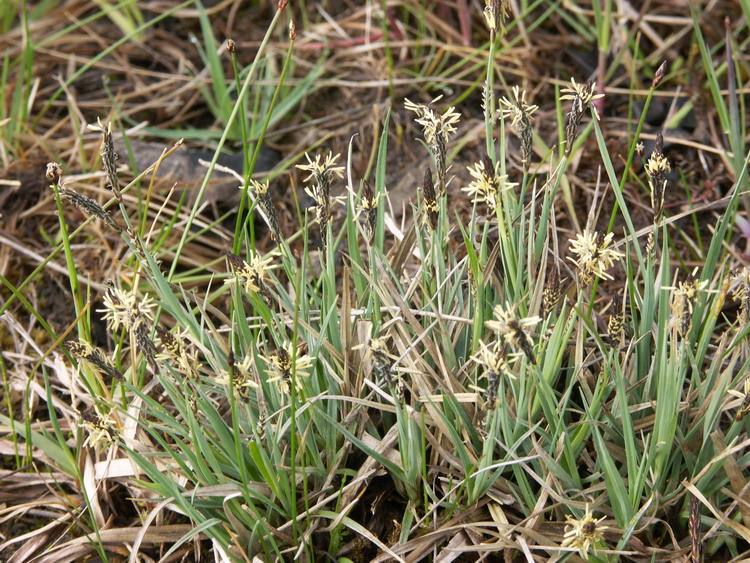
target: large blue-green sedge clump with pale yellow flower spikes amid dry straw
478 374
